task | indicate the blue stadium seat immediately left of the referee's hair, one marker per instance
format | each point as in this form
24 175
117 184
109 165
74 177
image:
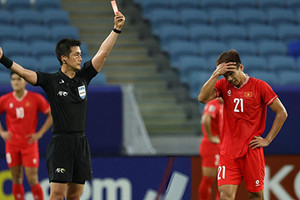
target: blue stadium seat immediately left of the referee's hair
43 48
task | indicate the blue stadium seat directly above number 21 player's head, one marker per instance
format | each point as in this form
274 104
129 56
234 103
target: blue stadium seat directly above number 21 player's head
243 47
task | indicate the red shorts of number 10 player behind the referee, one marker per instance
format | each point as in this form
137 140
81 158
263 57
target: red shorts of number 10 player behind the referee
28 156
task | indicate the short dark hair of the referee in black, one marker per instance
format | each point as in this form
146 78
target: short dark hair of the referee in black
63 47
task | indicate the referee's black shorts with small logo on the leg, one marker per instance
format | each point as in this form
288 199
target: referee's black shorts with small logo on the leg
69 159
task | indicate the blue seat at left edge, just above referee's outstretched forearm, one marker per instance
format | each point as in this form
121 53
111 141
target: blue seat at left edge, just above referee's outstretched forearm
15 48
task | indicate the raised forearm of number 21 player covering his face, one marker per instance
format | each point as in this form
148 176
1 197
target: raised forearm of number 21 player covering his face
207 90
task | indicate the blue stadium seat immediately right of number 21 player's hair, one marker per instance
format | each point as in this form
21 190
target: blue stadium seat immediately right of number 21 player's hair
252 63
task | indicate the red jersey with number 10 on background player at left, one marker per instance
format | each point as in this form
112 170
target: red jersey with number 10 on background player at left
22 114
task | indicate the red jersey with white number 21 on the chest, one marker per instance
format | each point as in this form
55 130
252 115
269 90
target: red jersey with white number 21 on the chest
245 111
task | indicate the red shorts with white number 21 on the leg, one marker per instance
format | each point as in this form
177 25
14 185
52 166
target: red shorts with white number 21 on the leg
251 167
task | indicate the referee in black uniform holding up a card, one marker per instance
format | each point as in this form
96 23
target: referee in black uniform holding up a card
68 154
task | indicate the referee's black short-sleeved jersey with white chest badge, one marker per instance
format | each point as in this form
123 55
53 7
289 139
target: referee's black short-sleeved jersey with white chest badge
68 98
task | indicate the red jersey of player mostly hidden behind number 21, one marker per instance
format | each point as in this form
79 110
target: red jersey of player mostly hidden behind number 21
215 109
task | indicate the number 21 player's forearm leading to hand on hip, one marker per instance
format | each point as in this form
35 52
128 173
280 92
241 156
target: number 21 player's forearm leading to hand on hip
276 126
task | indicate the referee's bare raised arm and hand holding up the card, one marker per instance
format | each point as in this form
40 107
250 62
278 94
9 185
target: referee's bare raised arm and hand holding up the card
105 48
